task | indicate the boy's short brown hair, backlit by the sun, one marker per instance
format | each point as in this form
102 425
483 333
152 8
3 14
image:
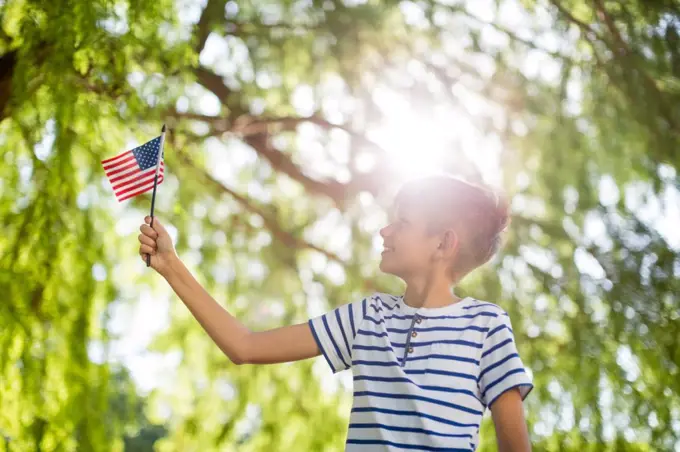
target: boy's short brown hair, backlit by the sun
477 214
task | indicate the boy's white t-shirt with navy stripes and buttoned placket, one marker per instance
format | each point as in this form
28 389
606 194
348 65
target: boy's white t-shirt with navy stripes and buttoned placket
422 376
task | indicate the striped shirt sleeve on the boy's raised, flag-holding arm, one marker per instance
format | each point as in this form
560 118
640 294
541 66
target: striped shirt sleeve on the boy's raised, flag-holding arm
335 331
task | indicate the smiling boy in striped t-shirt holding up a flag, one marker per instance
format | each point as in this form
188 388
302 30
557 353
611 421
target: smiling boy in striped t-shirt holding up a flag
426 364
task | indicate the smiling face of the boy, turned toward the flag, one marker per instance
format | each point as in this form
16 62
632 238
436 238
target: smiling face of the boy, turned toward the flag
409 248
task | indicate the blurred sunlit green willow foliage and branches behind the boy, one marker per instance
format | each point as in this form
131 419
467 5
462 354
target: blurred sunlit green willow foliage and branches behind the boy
291 124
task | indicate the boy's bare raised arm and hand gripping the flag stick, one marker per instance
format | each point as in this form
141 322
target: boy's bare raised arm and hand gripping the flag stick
289 343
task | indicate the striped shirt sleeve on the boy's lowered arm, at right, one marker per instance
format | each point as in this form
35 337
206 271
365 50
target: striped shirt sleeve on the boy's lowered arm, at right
501 367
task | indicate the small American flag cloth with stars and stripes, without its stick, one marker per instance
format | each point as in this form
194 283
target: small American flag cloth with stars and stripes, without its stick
132 173
